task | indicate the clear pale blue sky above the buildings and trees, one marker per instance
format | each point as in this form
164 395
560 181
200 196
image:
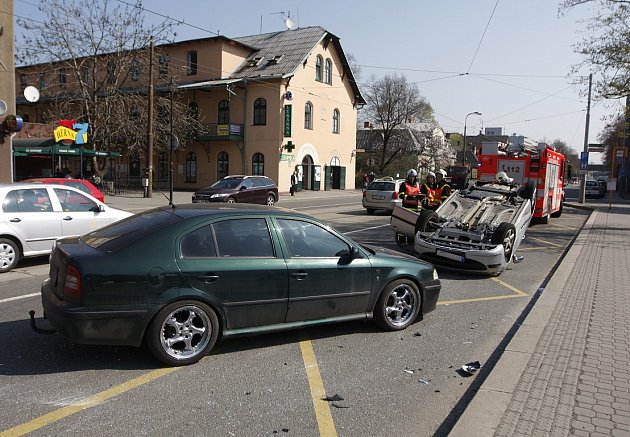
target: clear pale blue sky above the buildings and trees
517 54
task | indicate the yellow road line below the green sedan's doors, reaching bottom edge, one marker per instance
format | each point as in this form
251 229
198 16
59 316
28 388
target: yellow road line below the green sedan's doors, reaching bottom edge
322 409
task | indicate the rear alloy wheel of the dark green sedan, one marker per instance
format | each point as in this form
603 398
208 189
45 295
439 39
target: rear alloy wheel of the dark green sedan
183 332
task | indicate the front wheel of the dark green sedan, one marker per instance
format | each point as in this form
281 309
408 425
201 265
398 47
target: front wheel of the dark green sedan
398 306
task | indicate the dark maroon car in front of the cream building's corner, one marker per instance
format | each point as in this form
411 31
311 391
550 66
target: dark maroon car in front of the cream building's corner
240 189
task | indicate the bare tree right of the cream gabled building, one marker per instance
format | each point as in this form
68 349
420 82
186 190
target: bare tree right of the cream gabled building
392 103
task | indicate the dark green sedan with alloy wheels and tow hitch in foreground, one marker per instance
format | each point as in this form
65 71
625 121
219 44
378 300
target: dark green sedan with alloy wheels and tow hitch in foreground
180 278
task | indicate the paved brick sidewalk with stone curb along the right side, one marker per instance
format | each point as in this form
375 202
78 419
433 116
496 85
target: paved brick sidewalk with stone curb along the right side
566 370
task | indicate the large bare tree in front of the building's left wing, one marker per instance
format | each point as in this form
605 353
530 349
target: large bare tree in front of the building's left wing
98 55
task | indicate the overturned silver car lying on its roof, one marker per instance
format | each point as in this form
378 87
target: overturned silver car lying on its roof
477 229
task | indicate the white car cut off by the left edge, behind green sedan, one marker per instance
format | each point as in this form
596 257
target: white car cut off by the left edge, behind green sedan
33 216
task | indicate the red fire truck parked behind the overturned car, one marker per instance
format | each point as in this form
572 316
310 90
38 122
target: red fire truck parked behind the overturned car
541 166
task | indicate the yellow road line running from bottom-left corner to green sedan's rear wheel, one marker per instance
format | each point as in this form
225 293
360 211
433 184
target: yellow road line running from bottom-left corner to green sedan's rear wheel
89 402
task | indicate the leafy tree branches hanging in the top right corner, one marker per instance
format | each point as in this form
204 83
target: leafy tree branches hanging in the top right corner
605 47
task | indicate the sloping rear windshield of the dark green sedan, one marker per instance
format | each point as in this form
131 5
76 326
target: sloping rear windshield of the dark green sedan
127 231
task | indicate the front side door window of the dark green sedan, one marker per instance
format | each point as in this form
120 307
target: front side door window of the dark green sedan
304 239
